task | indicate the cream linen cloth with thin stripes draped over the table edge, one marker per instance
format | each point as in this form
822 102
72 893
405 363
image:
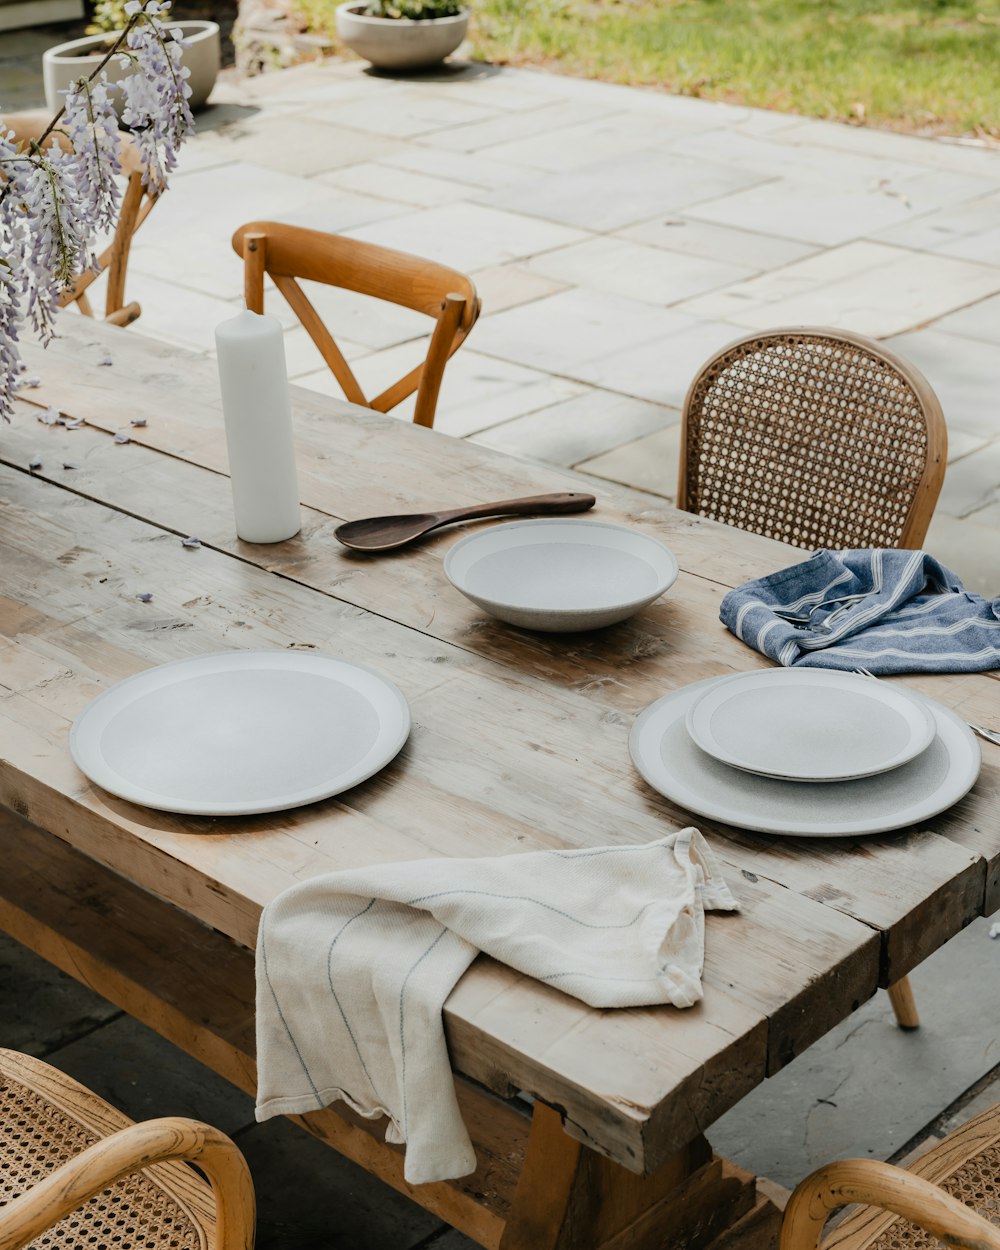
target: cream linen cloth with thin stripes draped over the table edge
354 968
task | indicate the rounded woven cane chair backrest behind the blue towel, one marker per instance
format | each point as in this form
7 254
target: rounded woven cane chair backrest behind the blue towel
819 438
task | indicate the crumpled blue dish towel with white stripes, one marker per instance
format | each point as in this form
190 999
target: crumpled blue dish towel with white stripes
883 611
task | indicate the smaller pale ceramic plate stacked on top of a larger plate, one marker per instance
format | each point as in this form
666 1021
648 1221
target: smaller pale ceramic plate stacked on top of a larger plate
811 724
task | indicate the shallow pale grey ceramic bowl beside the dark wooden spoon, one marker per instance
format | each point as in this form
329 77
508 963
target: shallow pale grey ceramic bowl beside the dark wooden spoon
557 574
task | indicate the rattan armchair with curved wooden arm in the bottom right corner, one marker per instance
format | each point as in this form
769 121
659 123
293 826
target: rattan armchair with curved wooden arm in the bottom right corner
951 1194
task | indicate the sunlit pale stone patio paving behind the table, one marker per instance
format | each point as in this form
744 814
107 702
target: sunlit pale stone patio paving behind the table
618 237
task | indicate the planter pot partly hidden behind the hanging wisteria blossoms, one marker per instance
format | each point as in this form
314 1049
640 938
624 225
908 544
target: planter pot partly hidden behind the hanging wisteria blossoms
67 63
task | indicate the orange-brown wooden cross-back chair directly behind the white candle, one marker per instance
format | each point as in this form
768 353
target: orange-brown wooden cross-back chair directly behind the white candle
289 253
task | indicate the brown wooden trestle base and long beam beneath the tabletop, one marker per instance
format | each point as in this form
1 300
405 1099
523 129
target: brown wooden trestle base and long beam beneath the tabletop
534 1188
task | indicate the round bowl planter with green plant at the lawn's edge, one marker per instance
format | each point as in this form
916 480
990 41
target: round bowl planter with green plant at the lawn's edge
402 34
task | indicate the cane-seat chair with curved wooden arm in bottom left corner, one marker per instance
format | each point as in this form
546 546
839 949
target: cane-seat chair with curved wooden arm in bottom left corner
79 1174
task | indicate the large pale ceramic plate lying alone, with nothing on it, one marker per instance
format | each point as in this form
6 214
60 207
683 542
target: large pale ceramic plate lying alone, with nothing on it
241 732
